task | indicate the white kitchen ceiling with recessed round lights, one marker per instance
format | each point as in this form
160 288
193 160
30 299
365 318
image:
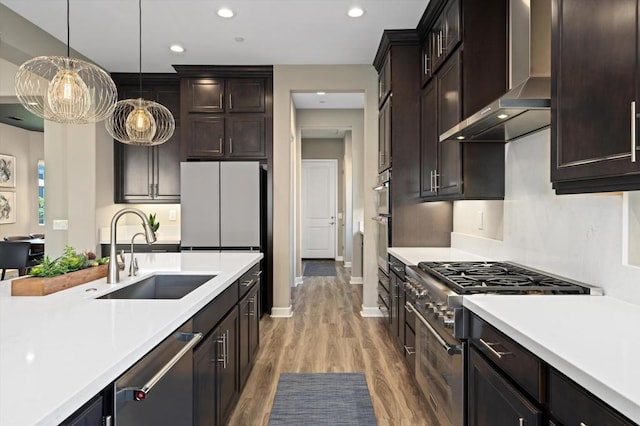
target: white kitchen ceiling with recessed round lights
274 31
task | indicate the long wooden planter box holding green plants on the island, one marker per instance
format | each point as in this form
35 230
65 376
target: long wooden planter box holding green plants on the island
41 286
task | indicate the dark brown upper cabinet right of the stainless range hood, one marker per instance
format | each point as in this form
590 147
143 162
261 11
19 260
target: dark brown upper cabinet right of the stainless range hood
593 142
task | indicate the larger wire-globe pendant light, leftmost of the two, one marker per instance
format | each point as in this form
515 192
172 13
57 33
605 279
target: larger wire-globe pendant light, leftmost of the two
65 89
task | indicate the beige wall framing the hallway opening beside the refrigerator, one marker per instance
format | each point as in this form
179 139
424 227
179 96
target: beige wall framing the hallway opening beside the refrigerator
291 78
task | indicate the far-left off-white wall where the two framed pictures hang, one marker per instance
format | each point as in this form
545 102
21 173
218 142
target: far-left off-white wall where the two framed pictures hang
27 147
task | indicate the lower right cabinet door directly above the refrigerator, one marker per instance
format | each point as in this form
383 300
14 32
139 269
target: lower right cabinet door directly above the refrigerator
246 137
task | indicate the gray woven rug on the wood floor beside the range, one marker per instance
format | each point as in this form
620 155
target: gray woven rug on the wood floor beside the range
322 399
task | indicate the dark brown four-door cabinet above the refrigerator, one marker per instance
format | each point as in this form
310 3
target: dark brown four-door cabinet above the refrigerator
228 112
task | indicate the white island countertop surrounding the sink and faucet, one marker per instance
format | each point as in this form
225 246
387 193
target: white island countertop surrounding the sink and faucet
58 351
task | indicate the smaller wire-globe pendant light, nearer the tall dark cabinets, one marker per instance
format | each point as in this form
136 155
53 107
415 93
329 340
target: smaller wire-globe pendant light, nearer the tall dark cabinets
139 121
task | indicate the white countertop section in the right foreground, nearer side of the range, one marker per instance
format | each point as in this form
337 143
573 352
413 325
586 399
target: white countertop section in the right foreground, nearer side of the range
594 340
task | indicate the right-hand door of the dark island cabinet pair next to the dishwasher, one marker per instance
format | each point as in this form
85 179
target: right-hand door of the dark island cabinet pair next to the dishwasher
227 366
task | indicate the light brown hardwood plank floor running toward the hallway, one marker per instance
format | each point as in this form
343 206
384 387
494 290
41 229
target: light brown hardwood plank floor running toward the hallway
327 334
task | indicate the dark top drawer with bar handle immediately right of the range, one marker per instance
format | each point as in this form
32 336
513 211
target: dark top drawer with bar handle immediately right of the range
515 361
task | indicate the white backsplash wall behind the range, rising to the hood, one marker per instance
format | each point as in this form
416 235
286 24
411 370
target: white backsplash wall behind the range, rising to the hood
578 236
